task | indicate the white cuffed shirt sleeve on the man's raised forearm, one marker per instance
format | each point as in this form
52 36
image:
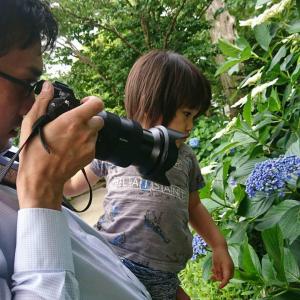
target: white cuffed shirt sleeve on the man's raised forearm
43 259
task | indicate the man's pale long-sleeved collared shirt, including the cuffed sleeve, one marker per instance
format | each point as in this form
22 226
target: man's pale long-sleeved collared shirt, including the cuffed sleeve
55 255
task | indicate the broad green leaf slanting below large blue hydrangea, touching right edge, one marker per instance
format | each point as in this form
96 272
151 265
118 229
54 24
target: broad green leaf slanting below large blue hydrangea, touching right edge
274 215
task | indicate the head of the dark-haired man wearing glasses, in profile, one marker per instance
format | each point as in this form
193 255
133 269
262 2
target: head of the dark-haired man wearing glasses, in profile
27 27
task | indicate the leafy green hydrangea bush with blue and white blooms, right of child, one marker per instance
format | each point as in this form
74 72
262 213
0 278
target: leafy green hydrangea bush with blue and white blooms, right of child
262 228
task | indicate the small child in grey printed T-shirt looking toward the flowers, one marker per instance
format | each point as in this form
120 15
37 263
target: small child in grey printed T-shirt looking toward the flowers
147 223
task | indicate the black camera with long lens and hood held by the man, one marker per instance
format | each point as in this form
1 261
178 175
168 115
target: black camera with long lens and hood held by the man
122 141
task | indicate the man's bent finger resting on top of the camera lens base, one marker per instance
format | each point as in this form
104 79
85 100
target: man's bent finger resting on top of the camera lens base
91 107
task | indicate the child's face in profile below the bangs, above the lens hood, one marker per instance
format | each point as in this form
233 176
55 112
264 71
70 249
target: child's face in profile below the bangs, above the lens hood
184 120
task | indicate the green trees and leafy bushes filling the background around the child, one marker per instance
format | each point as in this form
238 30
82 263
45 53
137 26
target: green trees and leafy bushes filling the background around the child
100 40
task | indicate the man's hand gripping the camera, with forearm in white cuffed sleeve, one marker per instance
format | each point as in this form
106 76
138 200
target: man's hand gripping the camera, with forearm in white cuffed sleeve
43 258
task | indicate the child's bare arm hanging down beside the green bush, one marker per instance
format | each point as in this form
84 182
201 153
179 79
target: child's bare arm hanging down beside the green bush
202 222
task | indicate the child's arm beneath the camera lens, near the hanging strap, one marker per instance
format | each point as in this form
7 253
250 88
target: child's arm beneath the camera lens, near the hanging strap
77 184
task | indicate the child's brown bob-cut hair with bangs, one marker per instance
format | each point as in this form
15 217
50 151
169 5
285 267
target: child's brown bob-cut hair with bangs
159 83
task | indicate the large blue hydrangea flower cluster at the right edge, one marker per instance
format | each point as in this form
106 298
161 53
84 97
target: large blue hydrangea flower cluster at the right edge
271 176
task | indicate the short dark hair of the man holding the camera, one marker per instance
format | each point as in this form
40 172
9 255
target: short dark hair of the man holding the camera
25 22
